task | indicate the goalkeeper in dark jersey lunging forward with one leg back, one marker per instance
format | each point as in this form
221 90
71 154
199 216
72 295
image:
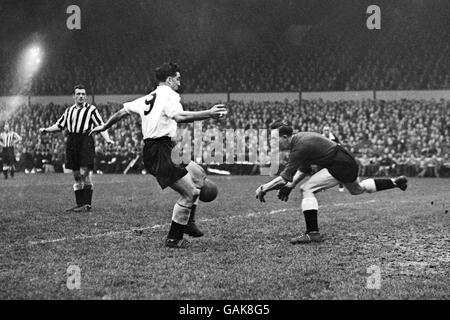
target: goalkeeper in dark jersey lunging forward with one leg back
339 166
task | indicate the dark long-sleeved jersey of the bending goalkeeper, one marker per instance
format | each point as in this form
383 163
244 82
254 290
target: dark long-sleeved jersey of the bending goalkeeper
308 148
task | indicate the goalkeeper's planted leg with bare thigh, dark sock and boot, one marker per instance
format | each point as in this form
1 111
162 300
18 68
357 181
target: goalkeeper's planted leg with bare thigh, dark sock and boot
319 181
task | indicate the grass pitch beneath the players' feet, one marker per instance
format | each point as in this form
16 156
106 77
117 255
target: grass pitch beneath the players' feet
245 253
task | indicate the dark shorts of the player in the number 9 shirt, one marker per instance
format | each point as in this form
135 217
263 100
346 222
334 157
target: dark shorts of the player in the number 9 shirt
158 161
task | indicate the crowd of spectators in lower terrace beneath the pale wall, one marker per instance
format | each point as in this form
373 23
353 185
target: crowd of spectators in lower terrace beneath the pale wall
410 137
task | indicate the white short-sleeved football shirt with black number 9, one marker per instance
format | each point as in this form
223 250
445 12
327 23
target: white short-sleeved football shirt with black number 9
157 110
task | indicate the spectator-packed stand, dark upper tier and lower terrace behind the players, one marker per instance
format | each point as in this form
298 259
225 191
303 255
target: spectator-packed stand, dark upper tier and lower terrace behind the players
305 48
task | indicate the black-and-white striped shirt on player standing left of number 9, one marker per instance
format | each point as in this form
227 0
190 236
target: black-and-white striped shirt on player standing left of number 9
80 119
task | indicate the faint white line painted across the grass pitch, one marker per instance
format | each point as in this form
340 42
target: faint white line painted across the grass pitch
166 225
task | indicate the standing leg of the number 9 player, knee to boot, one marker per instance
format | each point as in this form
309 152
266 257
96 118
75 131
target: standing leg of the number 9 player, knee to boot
181 211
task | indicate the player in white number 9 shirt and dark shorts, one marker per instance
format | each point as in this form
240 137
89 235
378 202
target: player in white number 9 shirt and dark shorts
160 112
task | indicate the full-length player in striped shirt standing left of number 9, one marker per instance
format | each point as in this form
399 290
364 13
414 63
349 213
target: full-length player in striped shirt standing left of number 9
79 119
